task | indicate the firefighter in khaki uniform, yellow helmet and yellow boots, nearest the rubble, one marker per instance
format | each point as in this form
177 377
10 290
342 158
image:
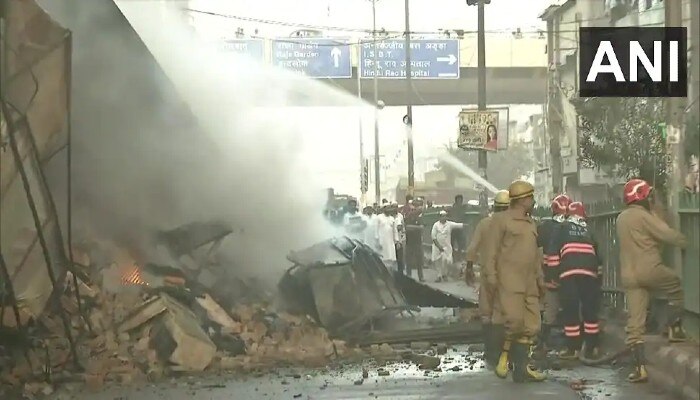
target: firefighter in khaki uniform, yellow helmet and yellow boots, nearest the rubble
512 265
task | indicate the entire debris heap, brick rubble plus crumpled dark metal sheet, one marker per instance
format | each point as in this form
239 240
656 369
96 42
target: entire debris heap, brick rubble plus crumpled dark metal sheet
138 321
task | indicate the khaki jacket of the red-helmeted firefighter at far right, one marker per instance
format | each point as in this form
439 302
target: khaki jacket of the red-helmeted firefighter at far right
641 234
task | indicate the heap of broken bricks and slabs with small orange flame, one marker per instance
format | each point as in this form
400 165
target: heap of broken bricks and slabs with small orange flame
155 321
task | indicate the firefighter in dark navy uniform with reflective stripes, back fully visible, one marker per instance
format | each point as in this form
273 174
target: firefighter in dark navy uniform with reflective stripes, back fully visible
577 266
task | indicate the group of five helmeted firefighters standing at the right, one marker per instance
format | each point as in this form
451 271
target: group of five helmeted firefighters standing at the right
534 273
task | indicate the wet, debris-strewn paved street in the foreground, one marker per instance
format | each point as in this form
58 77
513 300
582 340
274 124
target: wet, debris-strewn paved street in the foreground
405 382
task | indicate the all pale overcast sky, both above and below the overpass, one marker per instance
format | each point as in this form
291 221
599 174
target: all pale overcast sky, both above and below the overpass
335 154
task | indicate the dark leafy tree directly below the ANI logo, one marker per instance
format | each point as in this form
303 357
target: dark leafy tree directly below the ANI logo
623 136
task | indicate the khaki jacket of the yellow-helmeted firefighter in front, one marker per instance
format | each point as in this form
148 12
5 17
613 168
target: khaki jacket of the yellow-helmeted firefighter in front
512 259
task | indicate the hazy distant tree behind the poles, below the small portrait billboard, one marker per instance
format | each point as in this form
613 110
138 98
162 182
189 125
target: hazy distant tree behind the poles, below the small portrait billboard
503 168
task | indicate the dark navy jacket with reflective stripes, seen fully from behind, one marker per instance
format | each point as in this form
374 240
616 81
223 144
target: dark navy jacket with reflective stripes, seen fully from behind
576 249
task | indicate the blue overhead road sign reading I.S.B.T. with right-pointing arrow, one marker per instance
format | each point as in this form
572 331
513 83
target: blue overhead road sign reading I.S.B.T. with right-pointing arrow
430 59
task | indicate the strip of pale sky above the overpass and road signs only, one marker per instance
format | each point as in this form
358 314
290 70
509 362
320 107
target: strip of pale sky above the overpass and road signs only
426 15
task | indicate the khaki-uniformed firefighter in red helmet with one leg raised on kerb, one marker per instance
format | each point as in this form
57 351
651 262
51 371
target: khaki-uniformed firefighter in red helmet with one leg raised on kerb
640 234
